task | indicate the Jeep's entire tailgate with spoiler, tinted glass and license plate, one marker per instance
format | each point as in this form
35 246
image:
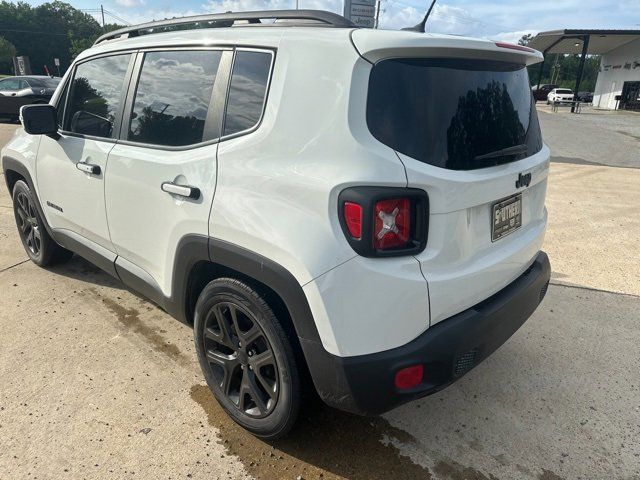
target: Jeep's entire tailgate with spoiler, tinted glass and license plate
460 115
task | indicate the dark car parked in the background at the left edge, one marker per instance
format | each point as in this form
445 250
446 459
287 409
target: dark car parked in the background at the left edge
18 91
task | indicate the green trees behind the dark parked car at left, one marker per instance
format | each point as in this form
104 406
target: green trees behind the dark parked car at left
48 31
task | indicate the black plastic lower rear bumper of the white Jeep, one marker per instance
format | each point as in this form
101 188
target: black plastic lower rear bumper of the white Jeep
365 384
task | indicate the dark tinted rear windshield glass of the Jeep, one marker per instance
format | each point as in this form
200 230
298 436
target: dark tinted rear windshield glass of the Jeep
455 114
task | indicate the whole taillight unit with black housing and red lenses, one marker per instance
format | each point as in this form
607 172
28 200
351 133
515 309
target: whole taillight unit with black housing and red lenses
384 221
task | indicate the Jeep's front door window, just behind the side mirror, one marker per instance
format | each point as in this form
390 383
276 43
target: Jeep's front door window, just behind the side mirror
96 96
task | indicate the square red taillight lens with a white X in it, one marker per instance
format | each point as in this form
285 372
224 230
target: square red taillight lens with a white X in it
392 223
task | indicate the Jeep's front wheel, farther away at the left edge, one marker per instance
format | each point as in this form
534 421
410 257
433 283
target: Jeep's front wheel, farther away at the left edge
40 247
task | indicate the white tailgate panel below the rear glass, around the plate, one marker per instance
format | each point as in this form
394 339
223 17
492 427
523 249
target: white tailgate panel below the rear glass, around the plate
461 263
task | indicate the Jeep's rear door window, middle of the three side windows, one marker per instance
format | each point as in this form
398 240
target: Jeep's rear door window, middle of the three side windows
173 96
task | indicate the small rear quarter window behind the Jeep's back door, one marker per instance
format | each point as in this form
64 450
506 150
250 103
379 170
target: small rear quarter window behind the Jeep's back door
247 91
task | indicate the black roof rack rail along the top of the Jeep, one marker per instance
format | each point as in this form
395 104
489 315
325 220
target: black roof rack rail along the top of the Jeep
306 18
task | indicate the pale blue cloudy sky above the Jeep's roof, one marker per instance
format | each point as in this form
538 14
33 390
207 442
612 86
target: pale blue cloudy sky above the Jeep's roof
494 19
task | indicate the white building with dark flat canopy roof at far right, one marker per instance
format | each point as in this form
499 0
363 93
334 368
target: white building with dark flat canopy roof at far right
618 83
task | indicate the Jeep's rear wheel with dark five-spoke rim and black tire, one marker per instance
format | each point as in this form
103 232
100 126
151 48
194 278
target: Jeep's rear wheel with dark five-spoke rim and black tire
247 358
